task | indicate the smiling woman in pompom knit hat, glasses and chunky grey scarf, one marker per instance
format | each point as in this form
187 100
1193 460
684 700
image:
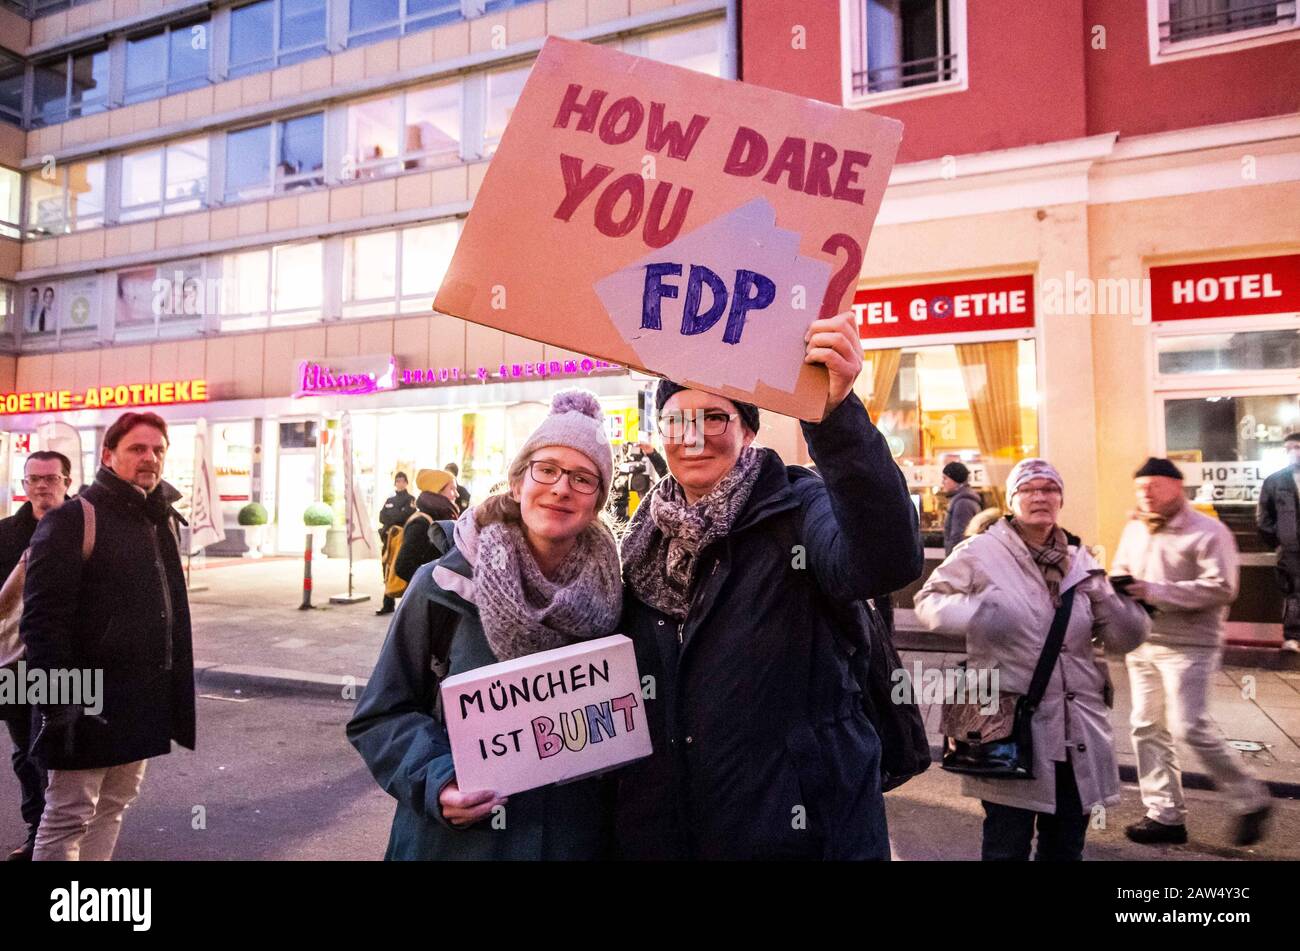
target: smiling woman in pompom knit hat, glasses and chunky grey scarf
528 571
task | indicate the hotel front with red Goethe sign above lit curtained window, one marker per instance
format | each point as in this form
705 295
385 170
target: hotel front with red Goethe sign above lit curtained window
952 375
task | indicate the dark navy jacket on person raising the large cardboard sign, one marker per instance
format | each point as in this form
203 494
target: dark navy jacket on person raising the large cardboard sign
761 746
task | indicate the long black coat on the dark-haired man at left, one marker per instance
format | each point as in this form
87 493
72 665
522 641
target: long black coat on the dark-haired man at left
124 611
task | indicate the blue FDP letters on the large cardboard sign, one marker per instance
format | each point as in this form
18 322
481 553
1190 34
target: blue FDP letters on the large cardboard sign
751 292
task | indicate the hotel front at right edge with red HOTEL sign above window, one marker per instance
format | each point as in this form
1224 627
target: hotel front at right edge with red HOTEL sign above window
1225 357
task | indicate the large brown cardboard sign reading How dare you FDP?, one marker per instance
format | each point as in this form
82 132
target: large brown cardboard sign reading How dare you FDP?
673 222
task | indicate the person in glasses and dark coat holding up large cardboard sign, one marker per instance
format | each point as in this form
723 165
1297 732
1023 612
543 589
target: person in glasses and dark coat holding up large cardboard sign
734 570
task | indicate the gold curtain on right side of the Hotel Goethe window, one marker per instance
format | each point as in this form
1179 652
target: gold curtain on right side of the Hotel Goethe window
991 379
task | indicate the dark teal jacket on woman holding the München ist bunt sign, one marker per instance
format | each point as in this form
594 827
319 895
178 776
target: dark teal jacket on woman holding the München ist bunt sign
405 744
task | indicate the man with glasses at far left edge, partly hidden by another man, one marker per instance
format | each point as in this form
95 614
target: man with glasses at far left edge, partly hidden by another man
46 480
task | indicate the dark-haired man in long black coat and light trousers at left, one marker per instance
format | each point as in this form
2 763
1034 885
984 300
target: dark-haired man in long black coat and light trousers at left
123 610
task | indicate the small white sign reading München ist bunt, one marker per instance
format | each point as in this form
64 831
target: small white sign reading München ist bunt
547 718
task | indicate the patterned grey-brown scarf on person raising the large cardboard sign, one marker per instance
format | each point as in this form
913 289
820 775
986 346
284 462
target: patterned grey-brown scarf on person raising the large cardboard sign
665 539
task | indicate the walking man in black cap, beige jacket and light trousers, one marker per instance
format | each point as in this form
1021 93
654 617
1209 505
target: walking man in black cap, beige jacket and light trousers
1185 566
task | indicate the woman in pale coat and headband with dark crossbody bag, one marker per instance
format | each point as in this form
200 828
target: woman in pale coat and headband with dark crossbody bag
1002 589
